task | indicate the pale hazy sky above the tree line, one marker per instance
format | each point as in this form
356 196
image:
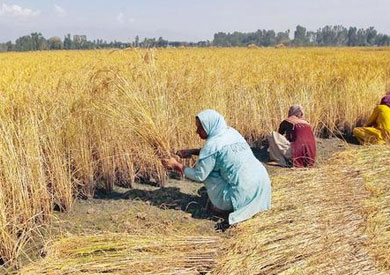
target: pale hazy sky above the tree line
190 20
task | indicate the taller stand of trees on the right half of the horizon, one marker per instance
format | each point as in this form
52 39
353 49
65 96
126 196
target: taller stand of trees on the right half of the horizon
326 36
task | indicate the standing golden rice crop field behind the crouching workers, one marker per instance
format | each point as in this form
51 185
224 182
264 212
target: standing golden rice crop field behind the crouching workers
71 120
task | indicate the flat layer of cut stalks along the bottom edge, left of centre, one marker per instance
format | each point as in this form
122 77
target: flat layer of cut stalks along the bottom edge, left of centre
129 254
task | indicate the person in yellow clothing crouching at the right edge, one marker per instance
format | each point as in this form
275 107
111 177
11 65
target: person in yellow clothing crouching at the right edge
377 129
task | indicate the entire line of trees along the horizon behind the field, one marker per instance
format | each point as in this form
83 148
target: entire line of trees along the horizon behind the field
326 36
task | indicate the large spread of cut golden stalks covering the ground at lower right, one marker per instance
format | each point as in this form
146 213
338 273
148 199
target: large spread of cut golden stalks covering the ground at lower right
328 220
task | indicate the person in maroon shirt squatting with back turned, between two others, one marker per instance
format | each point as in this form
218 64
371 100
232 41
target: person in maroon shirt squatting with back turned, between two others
294 144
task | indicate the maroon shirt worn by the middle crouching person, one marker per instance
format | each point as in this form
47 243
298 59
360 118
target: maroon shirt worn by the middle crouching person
303 144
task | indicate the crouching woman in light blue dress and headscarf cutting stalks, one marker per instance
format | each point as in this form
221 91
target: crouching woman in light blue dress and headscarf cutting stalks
235 180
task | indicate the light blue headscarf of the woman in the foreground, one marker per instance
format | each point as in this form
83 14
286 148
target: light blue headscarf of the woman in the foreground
218 133
